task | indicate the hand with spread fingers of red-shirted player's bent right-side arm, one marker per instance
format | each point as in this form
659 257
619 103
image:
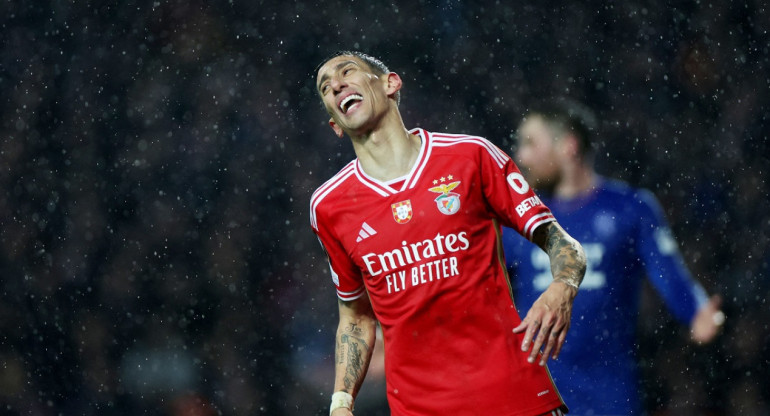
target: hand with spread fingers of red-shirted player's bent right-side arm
549 318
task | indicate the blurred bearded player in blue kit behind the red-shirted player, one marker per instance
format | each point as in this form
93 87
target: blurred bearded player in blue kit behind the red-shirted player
625 237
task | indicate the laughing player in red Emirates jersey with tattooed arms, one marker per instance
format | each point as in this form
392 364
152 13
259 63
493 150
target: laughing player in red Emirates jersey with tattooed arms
411 229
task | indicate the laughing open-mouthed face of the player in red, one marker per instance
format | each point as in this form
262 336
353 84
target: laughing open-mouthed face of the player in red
353 94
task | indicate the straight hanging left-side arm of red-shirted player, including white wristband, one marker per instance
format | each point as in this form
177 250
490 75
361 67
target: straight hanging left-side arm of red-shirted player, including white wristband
354 346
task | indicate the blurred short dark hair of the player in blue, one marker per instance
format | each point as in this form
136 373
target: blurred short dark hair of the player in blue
566 115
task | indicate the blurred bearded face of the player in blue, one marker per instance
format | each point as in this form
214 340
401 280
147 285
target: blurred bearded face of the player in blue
538 153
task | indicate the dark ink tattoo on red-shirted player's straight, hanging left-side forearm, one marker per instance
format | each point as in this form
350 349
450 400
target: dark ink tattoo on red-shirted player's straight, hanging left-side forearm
353 352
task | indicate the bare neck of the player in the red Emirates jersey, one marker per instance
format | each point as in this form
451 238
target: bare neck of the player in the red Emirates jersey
387 152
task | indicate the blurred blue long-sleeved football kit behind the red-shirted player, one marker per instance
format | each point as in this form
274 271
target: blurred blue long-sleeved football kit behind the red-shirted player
625 237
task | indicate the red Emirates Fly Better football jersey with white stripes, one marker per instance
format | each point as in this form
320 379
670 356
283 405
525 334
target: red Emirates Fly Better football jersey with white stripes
428 254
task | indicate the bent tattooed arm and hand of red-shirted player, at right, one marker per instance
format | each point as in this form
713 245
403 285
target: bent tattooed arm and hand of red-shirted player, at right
549 317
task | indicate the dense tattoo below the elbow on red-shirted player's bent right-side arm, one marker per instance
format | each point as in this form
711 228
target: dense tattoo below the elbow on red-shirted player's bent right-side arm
568 261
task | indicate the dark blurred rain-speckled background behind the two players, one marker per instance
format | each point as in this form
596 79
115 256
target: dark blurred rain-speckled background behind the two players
157 160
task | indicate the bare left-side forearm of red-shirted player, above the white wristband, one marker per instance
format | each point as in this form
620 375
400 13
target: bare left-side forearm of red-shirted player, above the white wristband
353 351
